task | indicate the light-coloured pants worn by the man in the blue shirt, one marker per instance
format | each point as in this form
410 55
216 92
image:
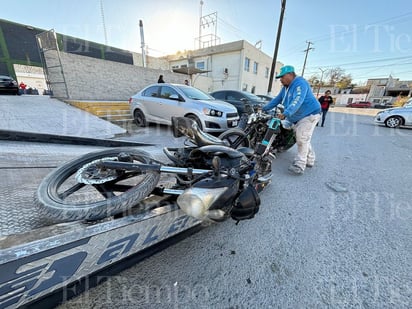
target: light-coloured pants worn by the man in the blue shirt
303 131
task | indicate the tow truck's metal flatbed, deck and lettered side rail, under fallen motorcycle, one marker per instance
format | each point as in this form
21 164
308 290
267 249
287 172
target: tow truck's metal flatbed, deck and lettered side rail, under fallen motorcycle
39 260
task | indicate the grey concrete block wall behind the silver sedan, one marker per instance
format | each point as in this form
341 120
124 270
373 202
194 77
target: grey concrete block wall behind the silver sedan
89 78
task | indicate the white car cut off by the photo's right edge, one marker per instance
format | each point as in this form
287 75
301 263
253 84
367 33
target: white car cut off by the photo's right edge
397 116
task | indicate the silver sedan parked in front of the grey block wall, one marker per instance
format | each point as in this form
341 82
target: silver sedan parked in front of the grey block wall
157 103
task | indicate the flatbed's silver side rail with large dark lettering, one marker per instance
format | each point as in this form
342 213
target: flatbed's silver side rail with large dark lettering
38 263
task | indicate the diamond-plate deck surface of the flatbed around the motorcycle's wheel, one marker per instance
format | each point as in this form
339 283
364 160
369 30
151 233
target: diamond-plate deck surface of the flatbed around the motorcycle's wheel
23 165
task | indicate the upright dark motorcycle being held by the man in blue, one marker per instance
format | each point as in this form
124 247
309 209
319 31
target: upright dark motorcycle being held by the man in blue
261 129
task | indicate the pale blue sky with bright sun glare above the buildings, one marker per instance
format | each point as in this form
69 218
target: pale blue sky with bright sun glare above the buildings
367 39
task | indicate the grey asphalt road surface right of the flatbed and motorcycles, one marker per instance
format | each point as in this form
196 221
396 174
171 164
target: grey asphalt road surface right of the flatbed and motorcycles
338 236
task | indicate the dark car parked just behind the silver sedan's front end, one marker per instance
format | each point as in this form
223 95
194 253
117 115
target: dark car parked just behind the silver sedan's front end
242 100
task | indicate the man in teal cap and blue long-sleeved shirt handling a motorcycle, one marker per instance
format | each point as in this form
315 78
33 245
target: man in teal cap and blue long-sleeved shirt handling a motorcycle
303 110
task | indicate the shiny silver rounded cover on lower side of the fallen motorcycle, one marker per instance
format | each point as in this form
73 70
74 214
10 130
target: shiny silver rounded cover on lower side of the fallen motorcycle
195 202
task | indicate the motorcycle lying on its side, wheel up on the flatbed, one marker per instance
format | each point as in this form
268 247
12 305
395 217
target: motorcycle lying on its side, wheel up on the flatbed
211 181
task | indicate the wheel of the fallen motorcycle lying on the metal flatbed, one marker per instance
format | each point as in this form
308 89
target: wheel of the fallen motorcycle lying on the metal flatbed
61 197
